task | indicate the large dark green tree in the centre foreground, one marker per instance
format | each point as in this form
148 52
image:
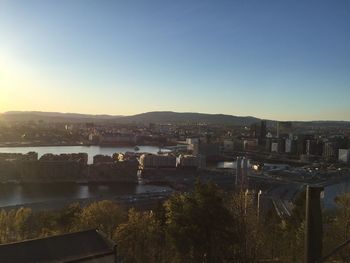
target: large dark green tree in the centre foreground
199 226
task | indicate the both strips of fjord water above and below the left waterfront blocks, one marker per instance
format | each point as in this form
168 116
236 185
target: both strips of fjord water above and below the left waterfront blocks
13 194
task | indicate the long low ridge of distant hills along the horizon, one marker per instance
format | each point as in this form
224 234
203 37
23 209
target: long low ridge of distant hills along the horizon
155 117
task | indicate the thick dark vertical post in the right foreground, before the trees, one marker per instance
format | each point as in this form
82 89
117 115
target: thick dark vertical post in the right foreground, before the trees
313 225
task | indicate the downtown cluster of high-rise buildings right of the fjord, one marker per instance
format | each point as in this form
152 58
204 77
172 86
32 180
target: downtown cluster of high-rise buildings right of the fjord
281 140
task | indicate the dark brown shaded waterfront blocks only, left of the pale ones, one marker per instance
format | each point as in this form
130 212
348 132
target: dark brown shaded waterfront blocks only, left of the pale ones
27 168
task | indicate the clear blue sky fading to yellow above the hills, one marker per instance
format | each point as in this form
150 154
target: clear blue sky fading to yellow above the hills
271 59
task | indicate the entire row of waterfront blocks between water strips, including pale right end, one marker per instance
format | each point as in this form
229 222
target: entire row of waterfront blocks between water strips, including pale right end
119 167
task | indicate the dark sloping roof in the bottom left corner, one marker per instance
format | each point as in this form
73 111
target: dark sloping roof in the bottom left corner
60 248
